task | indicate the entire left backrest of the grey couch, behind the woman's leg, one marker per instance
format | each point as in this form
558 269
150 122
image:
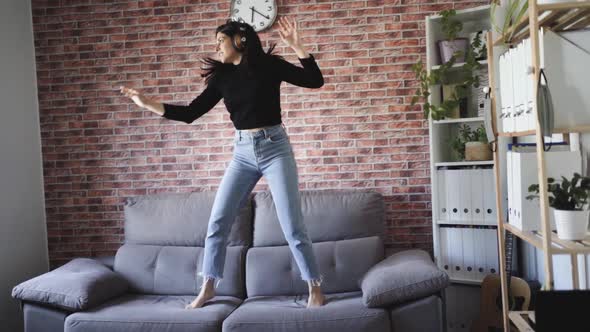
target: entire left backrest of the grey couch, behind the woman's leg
164 239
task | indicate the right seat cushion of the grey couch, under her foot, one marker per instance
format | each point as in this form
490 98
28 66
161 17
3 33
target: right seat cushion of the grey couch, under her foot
341 312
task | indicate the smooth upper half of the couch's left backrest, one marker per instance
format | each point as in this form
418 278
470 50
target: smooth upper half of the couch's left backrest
180 219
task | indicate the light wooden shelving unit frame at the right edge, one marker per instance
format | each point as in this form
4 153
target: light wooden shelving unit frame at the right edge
557 17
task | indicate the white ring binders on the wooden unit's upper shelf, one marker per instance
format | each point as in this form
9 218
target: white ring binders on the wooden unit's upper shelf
560 57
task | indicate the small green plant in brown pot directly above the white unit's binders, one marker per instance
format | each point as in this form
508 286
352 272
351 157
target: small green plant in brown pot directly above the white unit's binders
471 144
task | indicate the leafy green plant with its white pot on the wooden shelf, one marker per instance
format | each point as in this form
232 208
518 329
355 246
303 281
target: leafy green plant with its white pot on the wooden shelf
568 201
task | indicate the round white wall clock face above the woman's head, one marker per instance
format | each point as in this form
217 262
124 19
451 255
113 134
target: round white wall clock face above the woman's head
260 14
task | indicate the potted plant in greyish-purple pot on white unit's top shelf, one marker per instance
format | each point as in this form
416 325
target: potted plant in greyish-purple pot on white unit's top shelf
451 45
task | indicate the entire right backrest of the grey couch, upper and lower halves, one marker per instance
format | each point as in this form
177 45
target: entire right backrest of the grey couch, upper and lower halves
346 228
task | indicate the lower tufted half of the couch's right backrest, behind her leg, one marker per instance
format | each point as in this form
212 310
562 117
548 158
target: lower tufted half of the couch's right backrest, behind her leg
273 270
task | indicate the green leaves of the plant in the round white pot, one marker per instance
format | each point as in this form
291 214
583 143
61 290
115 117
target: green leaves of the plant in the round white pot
570 194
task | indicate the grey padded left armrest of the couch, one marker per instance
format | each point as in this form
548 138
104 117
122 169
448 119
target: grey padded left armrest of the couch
80 284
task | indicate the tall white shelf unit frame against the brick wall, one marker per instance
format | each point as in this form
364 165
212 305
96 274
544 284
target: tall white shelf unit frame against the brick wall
441 131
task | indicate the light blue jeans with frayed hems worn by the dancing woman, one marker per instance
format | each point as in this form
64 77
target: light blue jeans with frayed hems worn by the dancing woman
266 152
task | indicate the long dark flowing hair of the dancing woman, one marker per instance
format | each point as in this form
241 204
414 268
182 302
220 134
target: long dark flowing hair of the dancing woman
252 53
